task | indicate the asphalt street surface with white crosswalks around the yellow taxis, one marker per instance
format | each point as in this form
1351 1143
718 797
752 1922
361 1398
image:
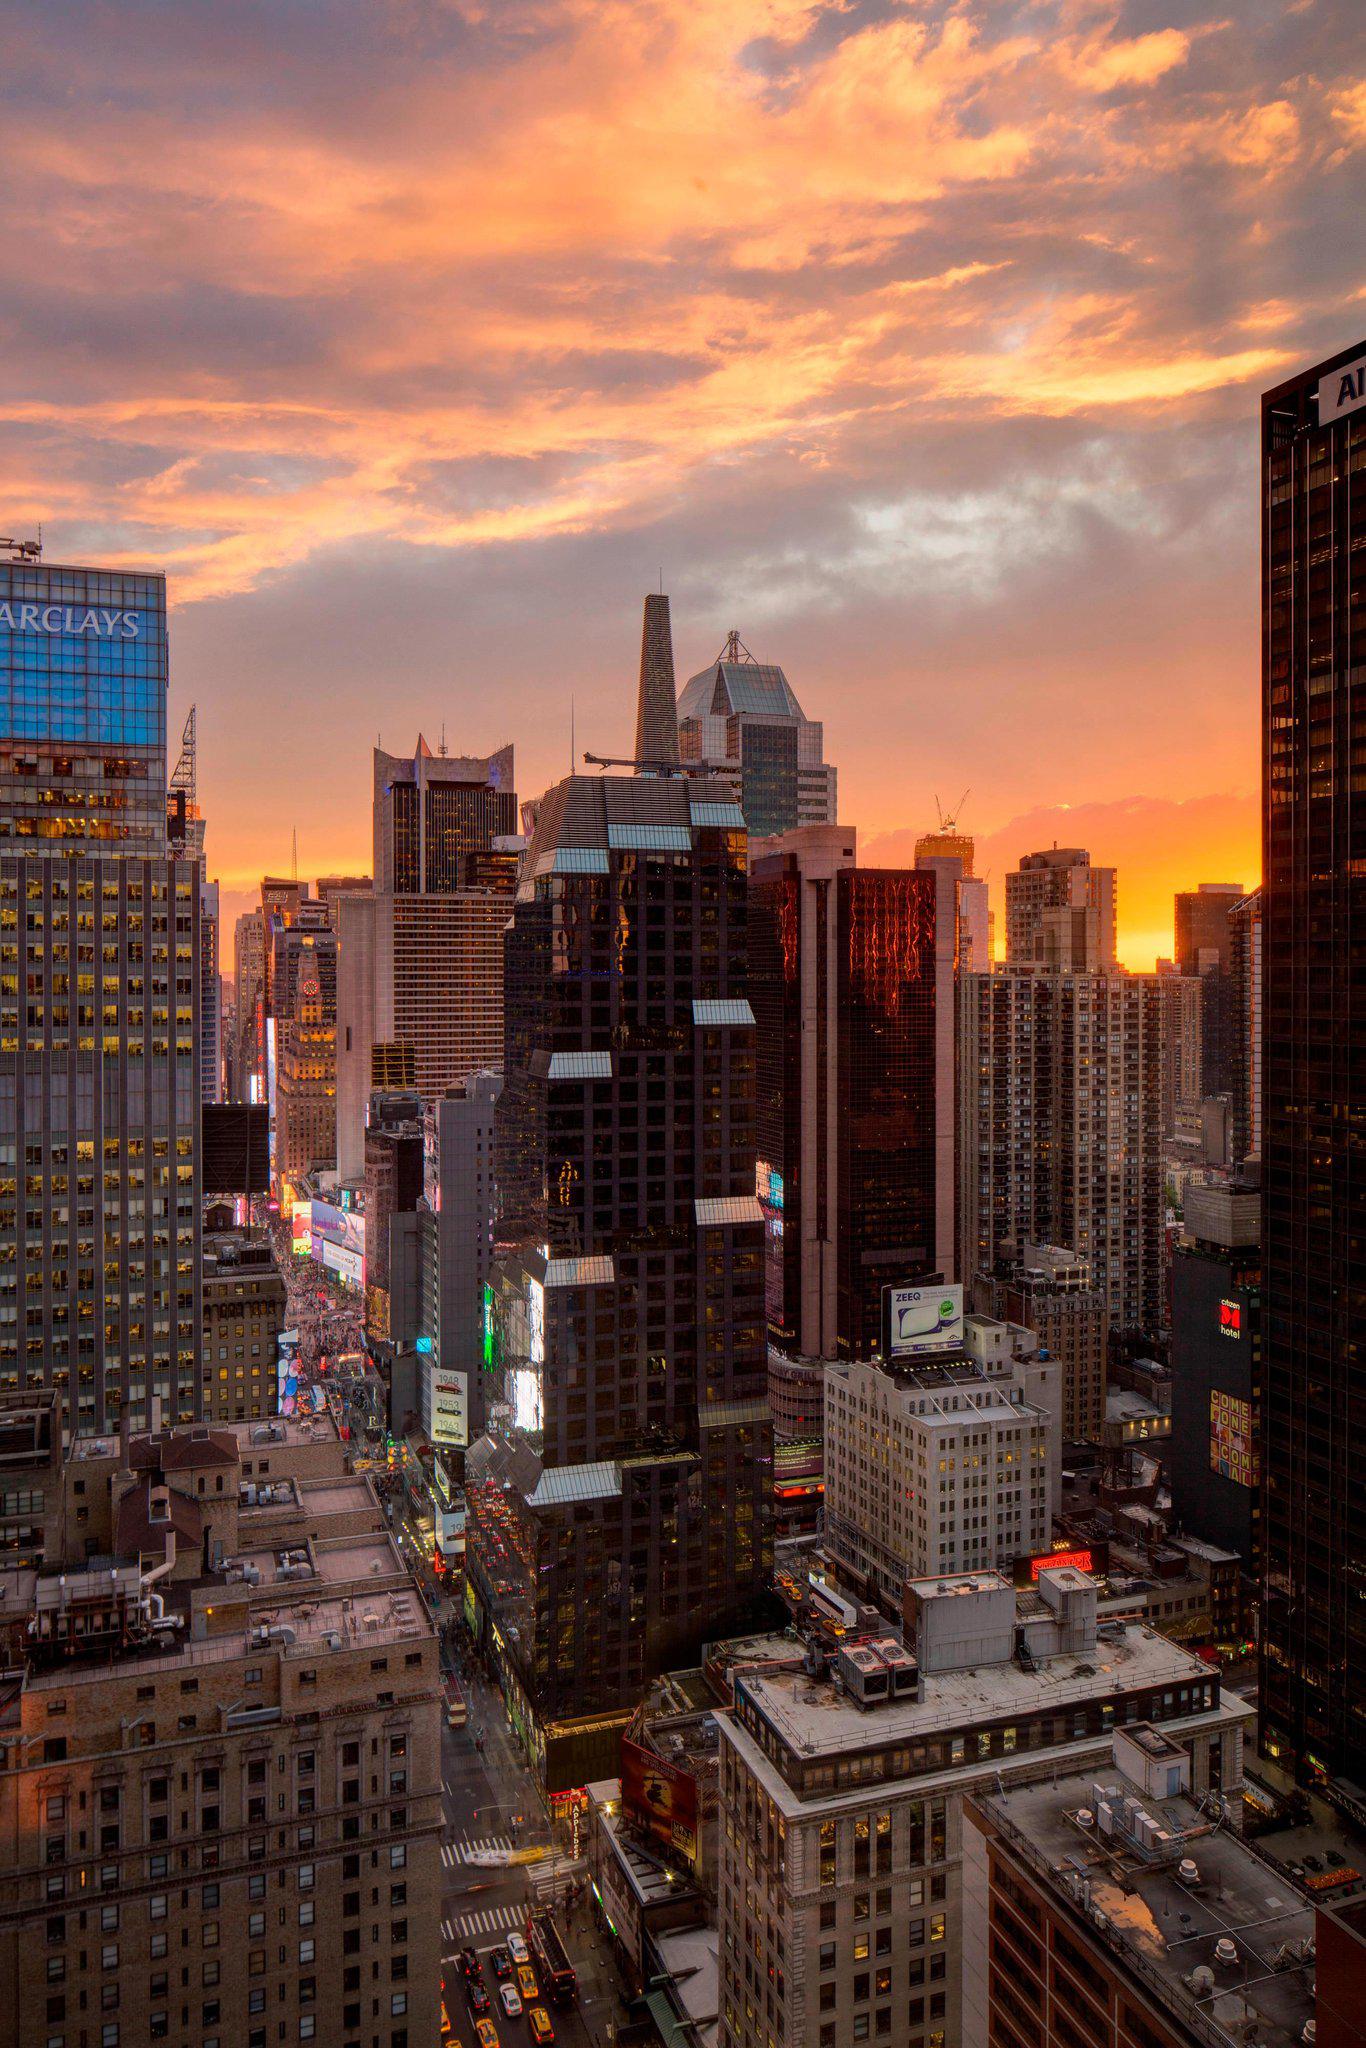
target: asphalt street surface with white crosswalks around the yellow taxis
493 1809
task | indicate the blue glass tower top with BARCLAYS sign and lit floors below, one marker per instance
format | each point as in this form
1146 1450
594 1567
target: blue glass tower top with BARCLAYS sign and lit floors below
83 706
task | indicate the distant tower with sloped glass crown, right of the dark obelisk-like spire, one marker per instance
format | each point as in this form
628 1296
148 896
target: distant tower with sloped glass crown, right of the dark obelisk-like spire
740 722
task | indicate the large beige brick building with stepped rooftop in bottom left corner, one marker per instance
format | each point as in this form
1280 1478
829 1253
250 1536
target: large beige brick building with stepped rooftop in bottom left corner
220 1762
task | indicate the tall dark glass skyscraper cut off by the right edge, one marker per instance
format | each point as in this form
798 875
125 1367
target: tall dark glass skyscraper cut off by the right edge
1314 902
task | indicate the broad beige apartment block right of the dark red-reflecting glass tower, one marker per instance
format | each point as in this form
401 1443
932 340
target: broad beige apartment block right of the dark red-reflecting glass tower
1062 1129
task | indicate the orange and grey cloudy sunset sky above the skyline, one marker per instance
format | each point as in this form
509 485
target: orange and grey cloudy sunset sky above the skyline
919 343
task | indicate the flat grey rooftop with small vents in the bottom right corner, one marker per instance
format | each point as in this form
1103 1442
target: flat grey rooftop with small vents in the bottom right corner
1168 1928
